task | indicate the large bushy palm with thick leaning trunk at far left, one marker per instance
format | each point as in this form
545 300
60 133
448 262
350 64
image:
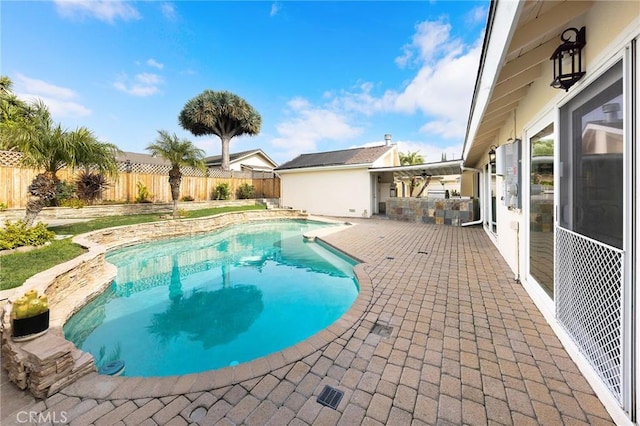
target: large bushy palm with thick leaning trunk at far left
46 145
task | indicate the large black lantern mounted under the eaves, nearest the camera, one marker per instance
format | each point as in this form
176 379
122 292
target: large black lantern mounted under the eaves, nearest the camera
567 59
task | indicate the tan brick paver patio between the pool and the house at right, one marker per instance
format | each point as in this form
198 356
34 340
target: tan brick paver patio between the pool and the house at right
466 346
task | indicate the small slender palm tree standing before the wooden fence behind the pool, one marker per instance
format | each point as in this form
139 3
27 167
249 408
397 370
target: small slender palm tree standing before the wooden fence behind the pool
178 153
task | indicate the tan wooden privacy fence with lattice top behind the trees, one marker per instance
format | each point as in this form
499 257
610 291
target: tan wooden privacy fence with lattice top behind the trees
14 181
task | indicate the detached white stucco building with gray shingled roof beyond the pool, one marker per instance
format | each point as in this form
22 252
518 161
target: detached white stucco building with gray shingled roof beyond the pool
336 183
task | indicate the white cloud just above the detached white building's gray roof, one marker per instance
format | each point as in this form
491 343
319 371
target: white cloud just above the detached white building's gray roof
309 125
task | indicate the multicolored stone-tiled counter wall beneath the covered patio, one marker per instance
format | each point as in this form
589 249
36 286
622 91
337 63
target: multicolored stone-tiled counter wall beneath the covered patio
439 211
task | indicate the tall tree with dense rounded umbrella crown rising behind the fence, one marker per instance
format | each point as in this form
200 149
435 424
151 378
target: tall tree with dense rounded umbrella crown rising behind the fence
223 114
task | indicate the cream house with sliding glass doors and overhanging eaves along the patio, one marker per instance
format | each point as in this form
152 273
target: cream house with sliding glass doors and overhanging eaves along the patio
562 202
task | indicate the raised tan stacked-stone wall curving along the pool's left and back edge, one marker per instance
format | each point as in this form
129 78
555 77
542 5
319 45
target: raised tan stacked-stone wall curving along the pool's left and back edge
48 363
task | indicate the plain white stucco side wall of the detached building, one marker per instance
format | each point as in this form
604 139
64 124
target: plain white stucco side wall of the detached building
330 192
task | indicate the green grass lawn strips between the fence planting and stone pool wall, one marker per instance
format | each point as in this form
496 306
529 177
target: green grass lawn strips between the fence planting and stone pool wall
15 268
